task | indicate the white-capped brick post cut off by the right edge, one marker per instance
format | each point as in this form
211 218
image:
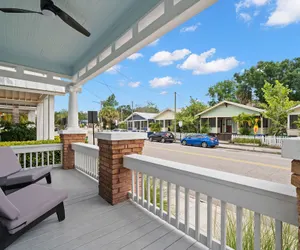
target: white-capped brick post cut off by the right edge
291 150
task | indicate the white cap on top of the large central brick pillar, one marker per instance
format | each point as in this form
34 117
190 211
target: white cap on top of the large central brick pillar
121 136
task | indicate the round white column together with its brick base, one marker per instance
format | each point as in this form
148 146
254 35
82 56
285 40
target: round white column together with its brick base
73 133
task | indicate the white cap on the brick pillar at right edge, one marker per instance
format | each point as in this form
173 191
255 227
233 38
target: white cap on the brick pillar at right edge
291 148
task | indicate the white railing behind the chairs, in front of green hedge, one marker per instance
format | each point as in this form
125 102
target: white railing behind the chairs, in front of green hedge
32 156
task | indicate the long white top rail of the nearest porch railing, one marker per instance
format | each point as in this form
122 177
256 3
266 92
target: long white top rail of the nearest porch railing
272 199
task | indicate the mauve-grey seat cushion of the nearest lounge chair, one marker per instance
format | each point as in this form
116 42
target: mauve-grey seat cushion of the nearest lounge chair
32 201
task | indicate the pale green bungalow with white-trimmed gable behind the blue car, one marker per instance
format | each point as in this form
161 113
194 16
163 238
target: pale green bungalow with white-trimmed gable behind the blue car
220 118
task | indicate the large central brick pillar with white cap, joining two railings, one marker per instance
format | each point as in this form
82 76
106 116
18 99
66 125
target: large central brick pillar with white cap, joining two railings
114 179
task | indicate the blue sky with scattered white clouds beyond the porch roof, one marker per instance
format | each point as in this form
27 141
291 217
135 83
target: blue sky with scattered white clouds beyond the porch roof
226 38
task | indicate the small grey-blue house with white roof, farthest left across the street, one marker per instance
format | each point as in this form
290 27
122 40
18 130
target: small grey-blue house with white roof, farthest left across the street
140 121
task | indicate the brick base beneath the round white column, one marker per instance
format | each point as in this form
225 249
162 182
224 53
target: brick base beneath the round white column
68 152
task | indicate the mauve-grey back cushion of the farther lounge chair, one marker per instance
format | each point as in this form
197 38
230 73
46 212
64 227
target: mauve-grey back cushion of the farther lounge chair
9 163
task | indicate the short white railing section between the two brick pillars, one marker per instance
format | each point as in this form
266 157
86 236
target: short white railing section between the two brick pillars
86 159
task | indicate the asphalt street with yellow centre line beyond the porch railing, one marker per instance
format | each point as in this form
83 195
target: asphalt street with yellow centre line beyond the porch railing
257 165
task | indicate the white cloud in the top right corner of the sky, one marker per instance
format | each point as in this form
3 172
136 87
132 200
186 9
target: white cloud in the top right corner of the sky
286 12
